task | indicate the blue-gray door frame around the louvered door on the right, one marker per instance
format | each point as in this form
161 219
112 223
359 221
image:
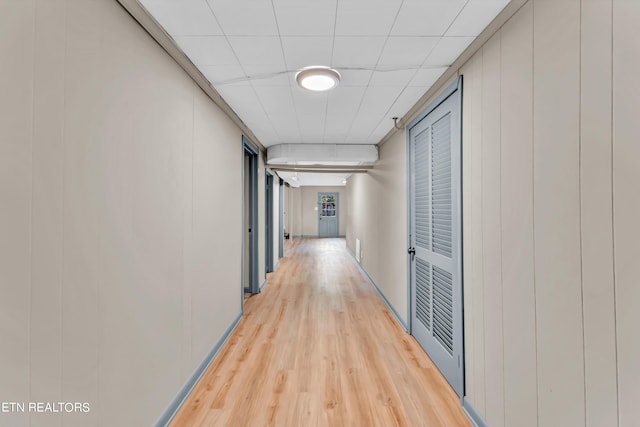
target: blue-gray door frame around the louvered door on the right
456 85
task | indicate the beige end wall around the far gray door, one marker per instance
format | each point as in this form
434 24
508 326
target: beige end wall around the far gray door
304 217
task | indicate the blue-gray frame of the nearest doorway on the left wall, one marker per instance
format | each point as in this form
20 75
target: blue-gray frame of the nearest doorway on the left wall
252 151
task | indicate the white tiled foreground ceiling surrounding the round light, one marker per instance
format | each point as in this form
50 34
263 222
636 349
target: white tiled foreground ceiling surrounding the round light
389 52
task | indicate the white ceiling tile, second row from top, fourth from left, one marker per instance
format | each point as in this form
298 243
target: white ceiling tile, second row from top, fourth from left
357 51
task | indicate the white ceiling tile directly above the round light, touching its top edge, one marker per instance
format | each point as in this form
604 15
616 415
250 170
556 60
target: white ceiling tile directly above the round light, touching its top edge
300 52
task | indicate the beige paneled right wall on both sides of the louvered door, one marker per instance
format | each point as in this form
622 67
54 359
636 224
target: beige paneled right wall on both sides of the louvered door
551 201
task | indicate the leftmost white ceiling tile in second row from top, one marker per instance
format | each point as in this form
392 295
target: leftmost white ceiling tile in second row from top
207 50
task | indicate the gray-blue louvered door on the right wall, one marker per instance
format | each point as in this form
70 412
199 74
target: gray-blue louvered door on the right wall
436 286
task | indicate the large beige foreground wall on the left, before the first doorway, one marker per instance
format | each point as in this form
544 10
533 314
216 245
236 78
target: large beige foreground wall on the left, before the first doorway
119 270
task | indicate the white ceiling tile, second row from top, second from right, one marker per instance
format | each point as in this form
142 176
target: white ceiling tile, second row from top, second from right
406 51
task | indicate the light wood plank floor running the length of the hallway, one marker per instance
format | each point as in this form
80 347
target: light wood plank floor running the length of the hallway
318 347
